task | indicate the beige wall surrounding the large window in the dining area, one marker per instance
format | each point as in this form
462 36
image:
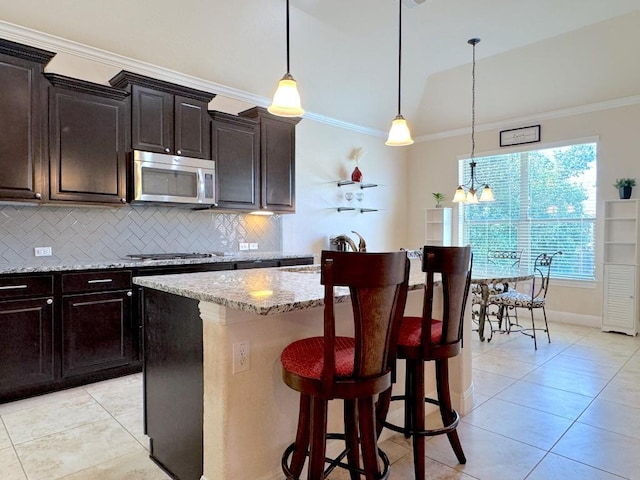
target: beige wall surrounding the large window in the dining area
433 167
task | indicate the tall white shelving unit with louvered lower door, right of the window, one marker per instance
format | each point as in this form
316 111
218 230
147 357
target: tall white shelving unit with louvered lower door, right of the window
621 267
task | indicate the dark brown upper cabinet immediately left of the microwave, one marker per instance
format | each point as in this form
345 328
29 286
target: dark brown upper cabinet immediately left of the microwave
87 141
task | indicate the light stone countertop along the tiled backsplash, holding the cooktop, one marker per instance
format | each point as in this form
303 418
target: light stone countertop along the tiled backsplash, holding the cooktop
52 265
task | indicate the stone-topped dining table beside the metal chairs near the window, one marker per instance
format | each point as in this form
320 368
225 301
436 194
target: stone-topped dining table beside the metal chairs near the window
485 278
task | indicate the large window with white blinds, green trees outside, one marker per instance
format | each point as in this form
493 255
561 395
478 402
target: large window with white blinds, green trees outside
545 202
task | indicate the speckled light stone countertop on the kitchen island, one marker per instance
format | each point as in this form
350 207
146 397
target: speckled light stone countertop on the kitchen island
264 291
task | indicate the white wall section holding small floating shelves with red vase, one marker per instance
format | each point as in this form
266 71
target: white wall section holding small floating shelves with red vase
322 158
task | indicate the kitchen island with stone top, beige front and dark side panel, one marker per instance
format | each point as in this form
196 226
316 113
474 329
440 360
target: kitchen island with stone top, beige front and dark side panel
204 419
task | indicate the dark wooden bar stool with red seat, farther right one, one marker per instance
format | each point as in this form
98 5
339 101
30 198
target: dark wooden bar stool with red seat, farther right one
423 339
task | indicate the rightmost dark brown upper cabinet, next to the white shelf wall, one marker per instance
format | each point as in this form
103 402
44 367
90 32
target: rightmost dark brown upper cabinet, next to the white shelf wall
277 160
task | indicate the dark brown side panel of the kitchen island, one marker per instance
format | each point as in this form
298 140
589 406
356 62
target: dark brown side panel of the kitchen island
173 383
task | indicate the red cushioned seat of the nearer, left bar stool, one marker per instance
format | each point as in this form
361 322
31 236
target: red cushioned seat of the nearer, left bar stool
306 357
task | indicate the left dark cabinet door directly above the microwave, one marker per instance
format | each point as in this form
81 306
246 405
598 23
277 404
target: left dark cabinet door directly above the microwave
151 120
